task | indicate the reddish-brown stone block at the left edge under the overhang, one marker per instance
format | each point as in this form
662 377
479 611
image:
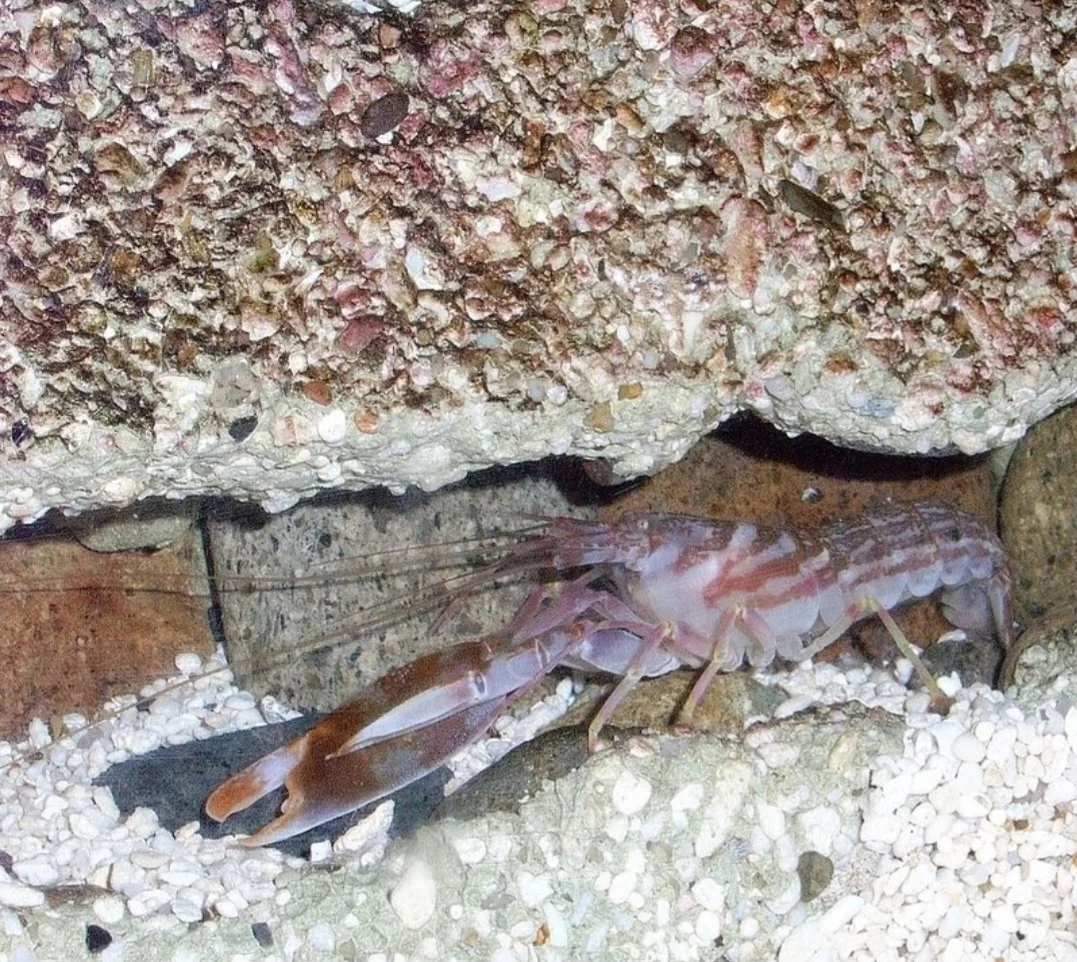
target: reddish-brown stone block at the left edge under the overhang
81 626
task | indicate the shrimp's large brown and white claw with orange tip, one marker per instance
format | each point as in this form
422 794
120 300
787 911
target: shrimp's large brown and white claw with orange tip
407 724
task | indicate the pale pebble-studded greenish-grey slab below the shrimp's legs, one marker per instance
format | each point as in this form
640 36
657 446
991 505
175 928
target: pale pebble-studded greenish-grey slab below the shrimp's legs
645 847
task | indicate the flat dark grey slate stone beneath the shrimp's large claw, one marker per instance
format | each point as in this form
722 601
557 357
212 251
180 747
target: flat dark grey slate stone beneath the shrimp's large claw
176 780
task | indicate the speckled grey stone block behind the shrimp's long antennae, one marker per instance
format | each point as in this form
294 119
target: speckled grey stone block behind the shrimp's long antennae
326 573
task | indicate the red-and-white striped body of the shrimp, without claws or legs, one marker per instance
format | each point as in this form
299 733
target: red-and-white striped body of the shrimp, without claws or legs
794 589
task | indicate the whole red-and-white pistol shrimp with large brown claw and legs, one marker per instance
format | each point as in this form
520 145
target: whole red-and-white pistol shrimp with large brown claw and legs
658 592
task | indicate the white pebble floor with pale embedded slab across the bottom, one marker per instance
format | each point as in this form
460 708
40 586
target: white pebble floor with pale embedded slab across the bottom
947 839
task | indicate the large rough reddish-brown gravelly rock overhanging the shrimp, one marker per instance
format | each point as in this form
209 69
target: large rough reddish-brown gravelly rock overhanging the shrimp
267 249
